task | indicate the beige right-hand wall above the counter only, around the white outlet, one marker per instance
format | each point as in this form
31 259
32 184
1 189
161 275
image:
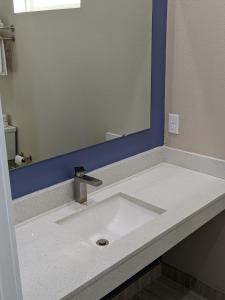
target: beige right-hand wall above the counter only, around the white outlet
196 75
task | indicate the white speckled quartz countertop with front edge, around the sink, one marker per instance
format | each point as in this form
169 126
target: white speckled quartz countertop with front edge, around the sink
55 266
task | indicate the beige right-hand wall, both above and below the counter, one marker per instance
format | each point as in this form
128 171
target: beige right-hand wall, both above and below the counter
196 91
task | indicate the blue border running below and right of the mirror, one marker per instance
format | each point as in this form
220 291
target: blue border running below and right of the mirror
58 169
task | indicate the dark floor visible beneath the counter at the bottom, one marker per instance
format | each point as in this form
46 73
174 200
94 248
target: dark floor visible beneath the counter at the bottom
166 289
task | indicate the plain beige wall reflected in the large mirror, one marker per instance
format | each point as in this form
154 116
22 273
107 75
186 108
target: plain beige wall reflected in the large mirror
99 54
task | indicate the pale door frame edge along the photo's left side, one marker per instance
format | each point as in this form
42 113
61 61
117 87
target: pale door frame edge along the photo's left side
10 287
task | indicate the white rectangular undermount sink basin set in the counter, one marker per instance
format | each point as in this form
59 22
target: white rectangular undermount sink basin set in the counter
111 219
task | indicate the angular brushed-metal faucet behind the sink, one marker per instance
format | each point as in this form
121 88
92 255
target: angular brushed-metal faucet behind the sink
80 184
